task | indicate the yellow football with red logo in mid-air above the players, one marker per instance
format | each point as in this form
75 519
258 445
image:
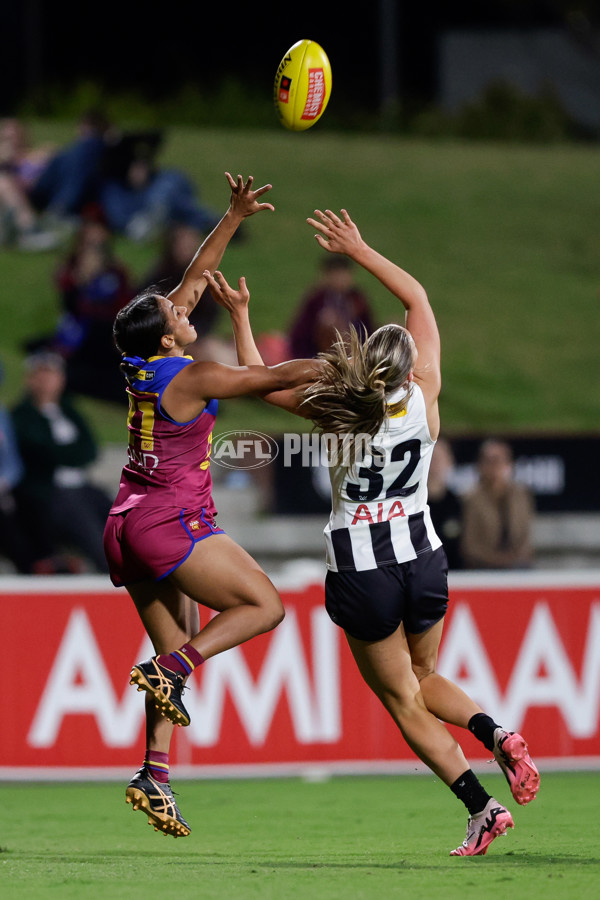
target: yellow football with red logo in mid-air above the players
302 85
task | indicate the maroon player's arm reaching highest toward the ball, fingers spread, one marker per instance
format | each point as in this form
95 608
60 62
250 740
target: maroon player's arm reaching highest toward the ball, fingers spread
244 202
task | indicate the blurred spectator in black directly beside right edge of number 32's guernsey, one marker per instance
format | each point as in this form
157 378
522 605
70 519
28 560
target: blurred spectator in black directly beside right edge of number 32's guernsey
444 504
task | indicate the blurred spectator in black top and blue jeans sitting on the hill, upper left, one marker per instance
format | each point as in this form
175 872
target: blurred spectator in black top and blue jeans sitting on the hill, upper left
139 198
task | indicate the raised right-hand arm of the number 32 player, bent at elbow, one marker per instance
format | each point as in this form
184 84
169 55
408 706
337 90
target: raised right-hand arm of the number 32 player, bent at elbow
340 235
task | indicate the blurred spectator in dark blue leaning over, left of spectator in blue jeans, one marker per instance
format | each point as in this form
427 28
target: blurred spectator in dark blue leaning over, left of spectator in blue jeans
70 180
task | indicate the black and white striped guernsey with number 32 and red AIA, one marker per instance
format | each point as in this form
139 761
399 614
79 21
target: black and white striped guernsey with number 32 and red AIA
379 513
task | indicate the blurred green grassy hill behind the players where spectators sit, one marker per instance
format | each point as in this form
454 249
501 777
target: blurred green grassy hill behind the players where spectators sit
504 237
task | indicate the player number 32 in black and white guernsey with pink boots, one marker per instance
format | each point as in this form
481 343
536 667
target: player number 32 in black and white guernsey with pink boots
386 584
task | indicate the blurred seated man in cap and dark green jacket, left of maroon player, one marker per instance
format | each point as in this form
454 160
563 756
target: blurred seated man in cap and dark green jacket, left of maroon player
57 500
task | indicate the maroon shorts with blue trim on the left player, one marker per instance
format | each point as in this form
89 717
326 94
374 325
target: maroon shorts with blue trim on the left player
151 542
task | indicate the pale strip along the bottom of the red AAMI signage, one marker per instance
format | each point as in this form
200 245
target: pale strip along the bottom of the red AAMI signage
310 771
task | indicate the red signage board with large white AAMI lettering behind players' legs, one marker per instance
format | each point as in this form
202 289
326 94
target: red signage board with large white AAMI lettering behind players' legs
526 648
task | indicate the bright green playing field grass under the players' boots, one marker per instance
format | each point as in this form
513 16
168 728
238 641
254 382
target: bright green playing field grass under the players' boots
360 837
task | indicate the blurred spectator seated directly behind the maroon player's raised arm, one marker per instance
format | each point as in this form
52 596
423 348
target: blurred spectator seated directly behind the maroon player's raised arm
180 243
